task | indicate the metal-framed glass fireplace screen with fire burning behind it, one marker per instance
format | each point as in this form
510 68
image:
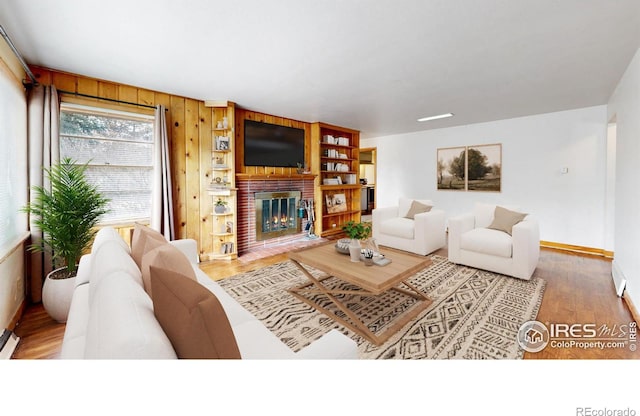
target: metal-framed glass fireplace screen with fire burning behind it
276 214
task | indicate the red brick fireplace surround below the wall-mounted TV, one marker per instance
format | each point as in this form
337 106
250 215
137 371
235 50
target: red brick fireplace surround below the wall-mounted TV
280 190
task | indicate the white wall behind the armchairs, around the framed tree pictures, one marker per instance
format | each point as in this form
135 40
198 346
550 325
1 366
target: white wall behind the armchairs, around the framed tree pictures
570 207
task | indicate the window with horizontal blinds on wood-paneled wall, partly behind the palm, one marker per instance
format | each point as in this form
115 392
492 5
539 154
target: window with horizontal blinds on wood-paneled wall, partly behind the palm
118 146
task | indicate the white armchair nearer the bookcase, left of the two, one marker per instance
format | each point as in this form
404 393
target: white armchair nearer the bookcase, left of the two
423 234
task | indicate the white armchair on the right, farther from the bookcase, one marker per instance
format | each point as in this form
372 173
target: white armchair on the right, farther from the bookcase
472 244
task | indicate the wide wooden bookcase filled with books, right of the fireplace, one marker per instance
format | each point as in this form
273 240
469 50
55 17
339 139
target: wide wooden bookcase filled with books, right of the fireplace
335 161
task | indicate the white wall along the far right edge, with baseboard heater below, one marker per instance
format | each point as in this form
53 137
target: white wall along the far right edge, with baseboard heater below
624 105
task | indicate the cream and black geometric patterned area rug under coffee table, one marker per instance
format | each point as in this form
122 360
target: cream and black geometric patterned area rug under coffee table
474 315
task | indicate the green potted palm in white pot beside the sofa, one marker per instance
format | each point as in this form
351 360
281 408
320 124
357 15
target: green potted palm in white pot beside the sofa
67 214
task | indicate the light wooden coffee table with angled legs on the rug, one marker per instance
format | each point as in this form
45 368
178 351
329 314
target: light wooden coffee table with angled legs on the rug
371 281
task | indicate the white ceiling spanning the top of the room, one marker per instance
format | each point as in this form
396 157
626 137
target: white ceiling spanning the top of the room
375 66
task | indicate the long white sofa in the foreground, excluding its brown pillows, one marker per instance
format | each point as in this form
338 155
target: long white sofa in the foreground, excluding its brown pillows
112 317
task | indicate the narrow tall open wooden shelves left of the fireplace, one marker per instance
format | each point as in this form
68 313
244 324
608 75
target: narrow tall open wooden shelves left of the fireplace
221 186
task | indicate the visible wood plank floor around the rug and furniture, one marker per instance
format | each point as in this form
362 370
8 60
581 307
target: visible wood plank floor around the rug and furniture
579 290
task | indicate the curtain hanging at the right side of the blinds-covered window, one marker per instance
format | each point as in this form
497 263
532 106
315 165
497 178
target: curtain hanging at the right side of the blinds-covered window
161 195
